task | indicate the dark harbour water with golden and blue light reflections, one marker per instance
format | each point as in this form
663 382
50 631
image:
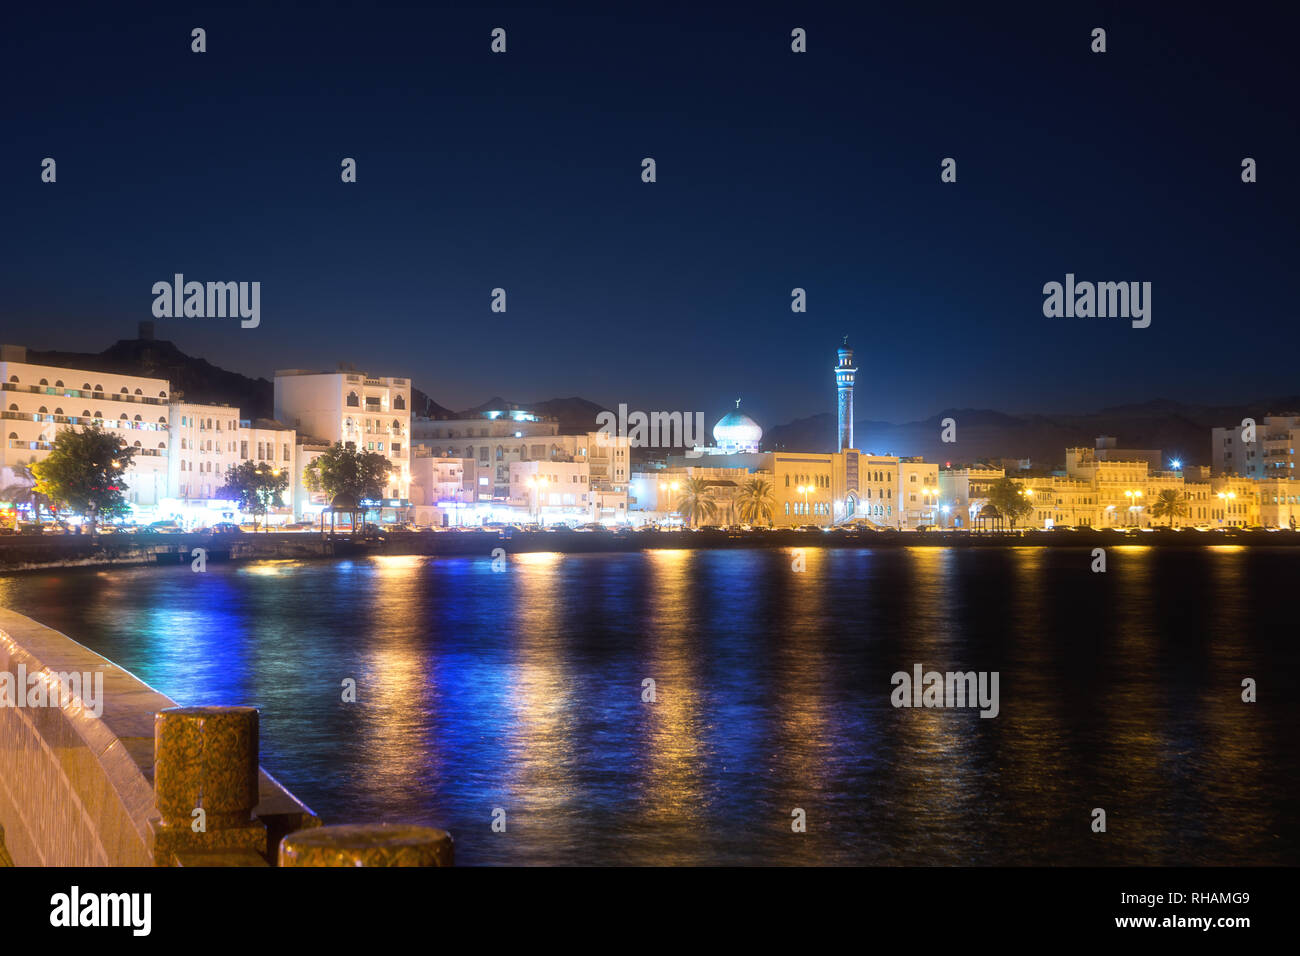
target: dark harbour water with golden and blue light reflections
525 690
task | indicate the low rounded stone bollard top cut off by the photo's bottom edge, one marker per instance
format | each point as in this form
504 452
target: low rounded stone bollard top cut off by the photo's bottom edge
367 845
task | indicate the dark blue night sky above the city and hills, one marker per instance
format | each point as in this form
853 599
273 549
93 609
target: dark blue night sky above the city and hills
775 171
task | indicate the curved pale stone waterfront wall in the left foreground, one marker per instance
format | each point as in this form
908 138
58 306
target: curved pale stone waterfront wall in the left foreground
77 776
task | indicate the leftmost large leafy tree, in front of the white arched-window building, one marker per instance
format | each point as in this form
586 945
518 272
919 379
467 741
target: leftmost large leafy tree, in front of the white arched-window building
85 471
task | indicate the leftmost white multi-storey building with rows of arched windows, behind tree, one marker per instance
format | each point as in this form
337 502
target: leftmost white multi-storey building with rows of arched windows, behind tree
40 401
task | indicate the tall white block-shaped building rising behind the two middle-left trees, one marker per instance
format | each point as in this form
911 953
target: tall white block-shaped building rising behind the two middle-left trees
362 412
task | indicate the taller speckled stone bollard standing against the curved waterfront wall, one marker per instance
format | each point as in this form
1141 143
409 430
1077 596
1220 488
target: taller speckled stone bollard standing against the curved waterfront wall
206 759
